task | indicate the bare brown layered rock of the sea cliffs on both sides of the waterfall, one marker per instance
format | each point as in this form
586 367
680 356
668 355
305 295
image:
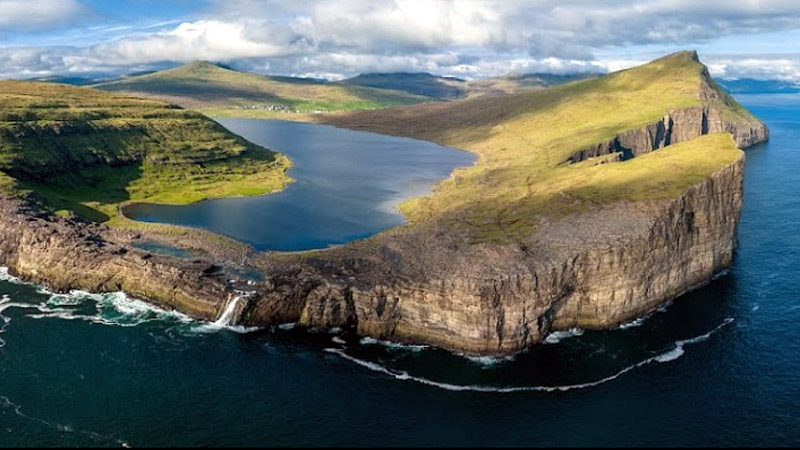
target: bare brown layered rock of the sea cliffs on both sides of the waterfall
425 284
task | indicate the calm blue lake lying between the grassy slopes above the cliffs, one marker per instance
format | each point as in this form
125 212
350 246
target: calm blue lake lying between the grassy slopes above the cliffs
347 186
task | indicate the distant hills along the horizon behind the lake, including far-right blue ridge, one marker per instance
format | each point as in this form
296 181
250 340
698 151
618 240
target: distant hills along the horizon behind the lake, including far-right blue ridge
221 91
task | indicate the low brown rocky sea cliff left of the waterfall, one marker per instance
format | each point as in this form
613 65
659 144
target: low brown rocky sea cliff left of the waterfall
65 255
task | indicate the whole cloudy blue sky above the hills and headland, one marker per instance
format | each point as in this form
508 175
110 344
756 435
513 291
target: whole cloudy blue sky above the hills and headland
341 38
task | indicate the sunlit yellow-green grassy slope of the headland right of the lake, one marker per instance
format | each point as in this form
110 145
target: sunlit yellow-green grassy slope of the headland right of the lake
524 139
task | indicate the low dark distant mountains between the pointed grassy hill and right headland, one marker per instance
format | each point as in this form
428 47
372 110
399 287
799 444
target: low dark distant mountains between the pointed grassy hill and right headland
449 88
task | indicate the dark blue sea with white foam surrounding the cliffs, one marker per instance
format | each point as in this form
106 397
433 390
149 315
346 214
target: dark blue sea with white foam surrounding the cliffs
720 366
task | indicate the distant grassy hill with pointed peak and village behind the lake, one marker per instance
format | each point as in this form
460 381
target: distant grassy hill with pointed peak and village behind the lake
218 91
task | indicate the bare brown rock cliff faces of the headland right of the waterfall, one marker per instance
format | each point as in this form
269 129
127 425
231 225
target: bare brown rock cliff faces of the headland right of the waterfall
593 270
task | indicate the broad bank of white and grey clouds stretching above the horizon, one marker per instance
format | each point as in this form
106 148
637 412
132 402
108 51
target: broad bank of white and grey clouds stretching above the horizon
468 38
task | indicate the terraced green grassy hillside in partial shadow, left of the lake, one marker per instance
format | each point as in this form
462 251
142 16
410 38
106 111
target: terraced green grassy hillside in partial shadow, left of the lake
88 151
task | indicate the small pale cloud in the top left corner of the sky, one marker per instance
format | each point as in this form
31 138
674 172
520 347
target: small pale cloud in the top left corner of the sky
24 15
